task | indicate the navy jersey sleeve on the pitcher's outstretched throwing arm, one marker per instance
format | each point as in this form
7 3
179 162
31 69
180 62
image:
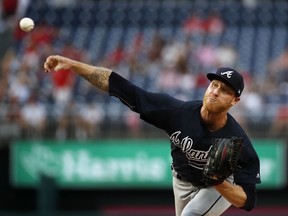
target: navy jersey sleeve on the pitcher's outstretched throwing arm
154 108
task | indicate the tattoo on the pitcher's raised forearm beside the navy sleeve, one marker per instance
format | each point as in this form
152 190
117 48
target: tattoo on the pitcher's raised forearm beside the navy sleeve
99 78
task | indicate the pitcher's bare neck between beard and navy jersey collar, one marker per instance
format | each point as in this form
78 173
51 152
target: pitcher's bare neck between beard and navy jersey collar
213 121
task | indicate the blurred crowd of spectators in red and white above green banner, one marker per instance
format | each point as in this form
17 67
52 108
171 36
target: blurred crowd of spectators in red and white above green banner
63 106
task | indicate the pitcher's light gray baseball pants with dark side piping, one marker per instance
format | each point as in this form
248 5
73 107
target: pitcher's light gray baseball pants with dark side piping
193 201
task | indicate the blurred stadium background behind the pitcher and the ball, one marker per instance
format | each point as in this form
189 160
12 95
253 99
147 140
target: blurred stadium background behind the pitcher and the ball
68 149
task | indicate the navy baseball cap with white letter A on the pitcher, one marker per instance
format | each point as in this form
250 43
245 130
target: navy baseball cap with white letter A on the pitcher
230 76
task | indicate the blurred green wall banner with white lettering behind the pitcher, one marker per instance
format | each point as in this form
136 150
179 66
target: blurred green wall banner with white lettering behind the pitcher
119 163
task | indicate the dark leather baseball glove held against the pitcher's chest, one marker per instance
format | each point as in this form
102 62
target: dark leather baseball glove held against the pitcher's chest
222 160
